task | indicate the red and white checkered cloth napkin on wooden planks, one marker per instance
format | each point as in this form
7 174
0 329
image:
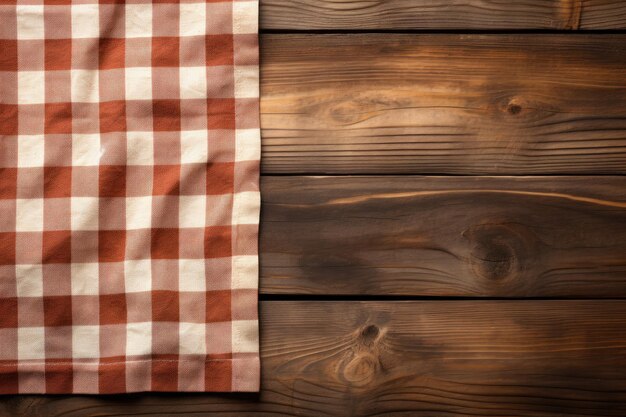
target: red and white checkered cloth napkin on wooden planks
129 200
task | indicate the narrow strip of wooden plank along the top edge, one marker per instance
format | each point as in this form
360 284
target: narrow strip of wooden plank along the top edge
442 14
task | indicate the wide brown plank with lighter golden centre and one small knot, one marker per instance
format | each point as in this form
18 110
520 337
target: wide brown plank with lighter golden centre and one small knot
459 104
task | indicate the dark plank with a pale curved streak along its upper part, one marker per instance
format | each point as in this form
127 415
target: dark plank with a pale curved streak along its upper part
444 236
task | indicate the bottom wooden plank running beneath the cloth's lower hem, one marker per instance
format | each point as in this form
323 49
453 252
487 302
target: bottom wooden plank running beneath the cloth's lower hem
530 358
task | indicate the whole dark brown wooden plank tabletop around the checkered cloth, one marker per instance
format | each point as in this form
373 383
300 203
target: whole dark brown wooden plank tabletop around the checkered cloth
443 226
